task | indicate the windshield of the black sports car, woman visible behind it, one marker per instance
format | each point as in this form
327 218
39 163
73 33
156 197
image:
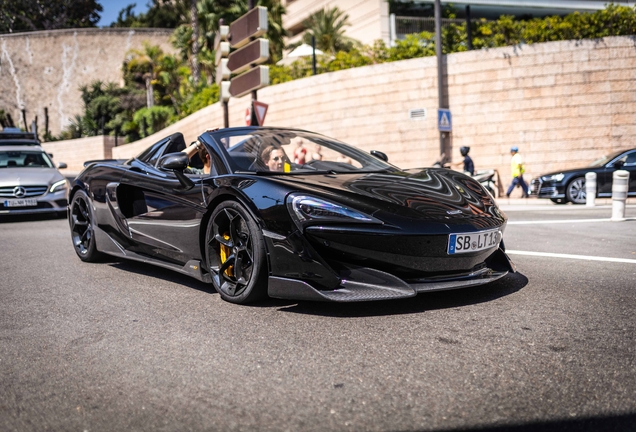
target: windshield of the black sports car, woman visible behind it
281 151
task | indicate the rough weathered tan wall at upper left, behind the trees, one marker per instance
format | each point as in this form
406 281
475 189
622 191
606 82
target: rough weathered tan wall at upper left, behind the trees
46 69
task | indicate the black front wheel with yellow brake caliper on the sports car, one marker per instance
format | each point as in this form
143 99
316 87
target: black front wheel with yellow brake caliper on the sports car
235 252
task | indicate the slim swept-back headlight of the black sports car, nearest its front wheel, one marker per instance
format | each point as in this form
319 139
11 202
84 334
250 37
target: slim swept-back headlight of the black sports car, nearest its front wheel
305 209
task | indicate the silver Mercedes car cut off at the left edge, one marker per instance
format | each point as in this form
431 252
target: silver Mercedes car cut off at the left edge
30 182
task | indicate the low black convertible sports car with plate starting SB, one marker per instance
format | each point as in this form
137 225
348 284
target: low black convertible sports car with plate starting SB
343 226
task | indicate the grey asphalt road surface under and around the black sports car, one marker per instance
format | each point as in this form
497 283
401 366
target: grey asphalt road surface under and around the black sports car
127 346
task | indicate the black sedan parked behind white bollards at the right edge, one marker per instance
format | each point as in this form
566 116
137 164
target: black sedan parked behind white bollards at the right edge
569 186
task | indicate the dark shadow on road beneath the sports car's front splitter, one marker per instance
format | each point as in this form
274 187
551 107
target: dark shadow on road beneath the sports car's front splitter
420 303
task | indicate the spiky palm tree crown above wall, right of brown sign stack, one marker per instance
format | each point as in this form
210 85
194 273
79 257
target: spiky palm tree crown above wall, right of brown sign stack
327 26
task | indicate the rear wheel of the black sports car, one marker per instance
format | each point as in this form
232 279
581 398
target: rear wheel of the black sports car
82 234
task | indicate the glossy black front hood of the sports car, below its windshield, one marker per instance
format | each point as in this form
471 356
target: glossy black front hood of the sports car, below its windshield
437 194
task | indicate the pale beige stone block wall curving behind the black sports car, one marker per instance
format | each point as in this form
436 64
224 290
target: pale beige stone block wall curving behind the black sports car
563 103
